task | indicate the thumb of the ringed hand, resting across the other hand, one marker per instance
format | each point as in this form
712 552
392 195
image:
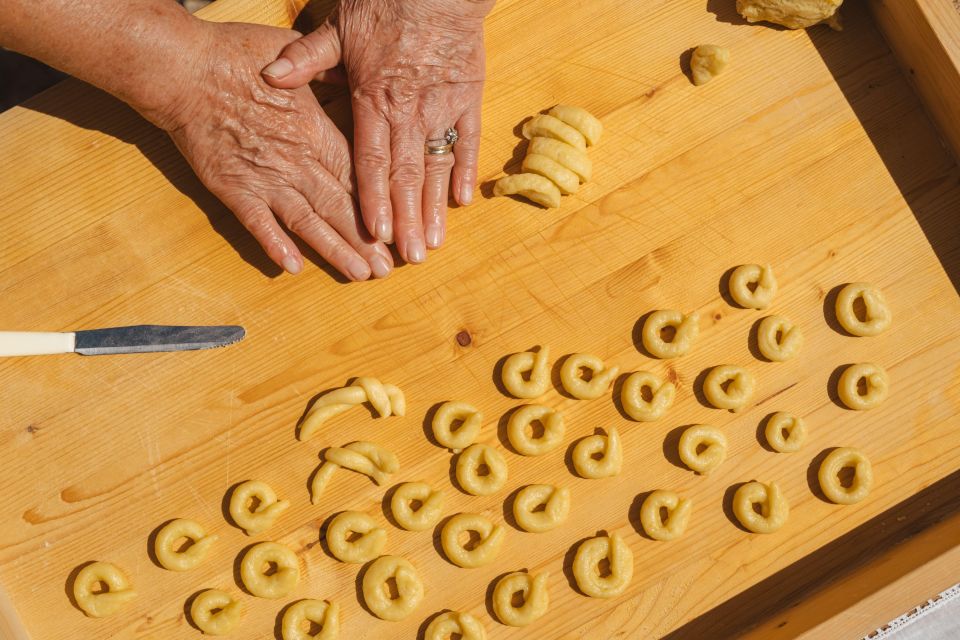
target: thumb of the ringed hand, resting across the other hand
312 57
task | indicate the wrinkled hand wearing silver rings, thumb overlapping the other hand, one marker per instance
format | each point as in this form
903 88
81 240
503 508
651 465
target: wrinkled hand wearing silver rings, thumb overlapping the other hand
415 69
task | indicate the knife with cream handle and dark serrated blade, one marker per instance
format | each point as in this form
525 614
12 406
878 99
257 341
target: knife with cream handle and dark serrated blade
139 339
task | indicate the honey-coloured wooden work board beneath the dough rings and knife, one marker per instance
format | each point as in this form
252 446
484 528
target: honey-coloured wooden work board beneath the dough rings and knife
811 152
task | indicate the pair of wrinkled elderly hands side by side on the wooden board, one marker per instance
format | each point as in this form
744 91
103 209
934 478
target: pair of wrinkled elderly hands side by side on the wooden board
256 136
